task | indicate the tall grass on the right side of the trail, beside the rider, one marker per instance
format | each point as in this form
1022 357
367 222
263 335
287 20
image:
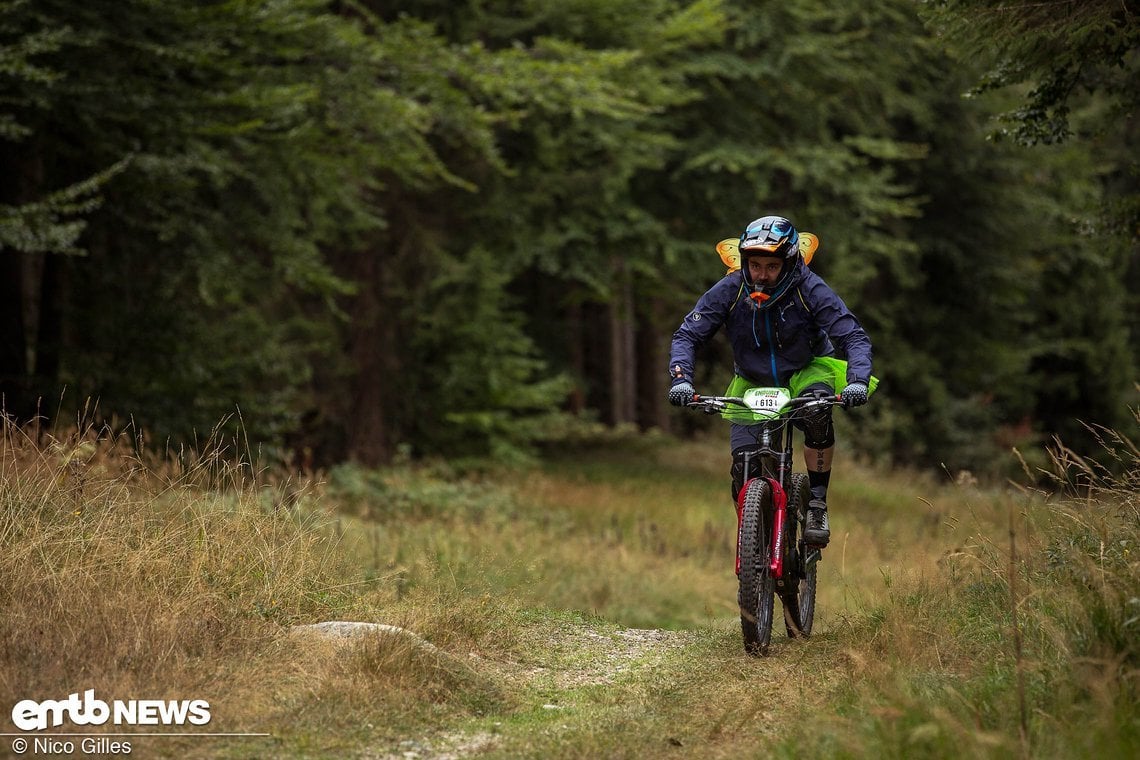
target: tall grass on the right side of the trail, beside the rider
1020 645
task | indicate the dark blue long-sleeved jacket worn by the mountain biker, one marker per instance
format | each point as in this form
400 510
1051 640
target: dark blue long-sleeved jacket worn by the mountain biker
769 346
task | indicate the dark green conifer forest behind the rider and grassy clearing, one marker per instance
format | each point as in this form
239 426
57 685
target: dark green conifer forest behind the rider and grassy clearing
362 231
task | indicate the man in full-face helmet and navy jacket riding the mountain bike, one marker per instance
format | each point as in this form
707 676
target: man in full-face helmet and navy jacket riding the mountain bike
785 325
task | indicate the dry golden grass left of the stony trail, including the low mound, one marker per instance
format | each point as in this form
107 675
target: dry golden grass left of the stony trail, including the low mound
178 577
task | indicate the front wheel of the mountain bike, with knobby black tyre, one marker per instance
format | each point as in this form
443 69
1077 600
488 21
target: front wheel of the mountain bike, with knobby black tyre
758 593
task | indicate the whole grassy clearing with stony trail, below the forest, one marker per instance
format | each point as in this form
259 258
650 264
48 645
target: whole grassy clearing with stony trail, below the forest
580 609
